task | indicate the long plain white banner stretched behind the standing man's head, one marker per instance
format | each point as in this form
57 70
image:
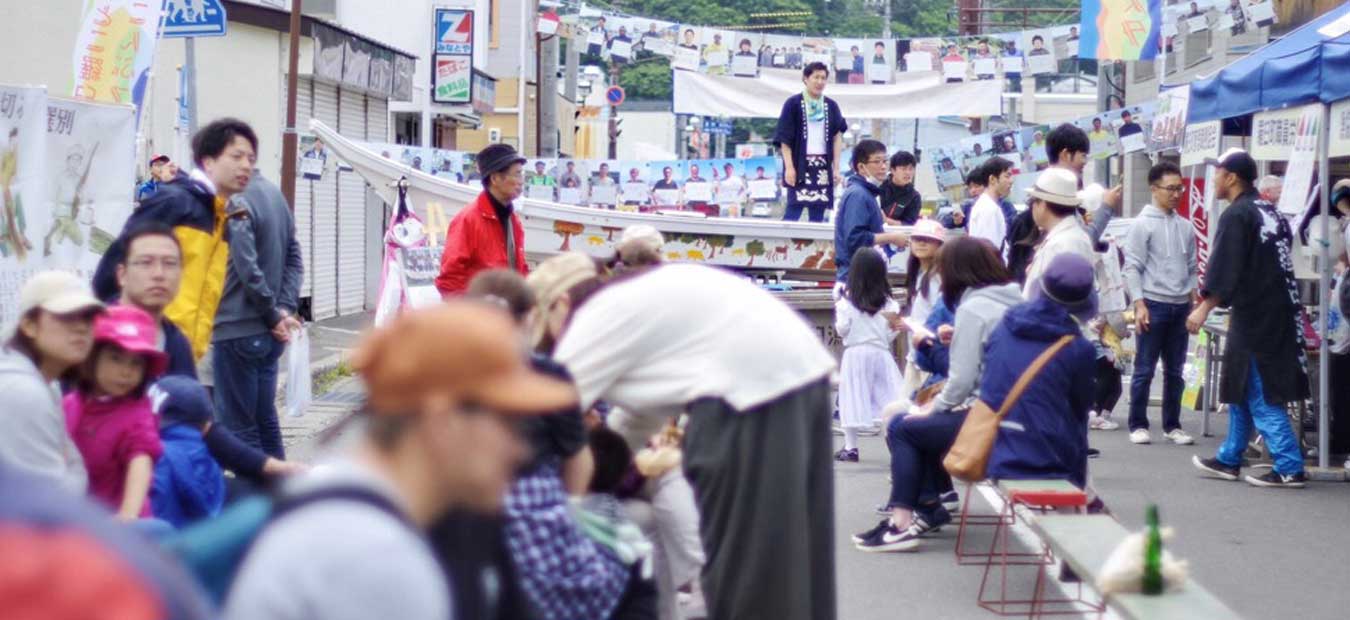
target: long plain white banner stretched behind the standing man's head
913 97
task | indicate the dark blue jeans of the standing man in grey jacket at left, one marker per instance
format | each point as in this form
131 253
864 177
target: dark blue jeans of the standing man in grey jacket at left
246 391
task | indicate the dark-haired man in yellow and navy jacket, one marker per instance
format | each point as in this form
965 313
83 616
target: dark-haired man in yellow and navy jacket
196 207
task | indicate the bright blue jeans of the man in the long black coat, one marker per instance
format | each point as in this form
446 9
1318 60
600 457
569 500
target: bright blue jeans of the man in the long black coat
1272 422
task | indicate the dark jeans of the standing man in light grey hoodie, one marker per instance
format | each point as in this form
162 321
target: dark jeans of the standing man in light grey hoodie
1167 338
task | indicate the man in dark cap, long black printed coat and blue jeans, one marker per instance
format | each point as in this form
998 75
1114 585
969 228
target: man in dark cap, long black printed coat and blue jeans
1264 365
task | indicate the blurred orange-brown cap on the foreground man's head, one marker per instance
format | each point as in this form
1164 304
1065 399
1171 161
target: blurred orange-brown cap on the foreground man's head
465 352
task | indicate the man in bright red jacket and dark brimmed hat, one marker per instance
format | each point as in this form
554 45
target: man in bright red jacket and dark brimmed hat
487 233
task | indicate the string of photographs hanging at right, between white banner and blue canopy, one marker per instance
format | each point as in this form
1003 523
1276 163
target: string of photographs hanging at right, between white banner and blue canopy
1113 133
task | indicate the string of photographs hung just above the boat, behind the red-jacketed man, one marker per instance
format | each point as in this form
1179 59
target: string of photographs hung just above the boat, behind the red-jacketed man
707 186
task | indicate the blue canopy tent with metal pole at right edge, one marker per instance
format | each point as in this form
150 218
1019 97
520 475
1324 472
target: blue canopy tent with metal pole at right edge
1305 67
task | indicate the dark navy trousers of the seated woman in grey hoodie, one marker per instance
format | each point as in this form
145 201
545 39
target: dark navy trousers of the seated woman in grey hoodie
917 446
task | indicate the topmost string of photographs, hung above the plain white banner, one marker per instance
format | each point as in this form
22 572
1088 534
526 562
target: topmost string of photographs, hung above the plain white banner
1006 56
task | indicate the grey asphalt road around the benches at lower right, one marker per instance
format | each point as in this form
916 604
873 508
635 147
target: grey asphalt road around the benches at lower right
1270 554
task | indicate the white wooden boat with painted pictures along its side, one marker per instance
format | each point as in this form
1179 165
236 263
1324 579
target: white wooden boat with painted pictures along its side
553 228
